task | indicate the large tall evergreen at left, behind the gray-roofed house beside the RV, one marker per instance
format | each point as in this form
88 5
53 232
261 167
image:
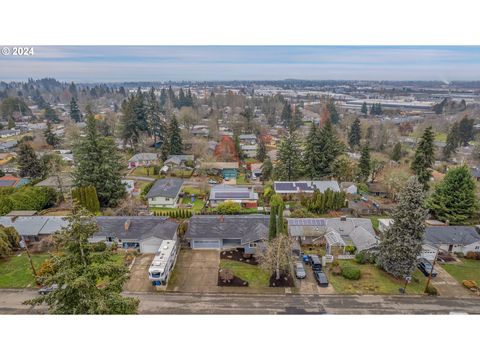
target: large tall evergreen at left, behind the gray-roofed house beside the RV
98 164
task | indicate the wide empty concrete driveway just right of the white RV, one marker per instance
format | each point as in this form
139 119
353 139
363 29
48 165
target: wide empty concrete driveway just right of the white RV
195 271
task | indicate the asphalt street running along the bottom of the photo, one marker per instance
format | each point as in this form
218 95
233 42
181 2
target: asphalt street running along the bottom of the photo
188 303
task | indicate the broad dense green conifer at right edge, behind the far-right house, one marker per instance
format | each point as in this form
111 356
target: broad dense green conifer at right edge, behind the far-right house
454 198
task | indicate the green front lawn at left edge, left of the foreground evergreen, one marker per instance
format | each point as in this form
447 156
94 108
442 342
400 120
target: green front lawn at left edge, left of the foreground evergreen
15 272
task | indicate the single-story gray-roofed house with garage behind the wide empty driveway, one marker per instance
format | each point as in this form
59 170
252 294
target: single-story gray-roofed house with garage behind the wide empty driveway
227 232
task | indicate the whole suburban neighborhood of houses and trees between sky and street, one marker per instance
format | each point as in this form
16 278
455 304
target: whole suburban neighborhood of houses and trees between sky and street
290 188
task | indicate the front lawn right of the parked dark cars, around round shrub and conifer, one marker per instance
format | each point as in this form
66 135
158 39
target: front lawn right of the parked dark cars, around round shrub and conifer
374 281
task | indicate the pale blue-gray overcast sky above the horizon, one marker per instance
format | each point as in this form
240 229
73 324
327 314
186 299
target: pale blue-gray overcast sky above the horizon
196 63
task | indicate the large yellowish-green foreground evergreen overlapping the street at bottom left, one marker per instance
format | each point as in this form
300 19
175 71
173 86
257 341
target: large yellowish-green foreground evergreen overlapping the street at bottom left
89 282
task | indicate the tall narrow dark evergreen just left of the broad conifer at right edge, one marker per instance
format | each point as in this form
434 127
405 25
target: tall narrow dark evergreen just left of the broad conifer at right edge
424 157
